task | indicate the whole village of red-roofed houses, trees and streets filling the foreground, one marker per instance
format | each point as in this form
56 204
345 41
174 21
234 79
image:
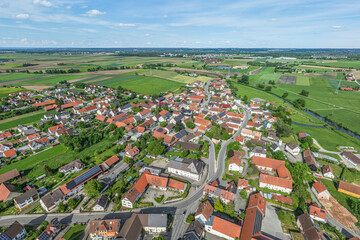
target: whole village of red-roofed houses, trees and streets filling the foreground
218 160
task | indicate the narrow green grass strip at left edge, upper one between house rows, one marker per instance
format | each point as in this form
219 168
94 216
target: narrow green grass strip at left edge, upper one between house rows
25 119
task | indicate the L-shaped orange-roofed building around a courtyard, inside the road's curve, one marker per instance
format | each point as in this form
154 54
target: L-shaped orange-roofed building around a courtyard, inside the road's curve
147 179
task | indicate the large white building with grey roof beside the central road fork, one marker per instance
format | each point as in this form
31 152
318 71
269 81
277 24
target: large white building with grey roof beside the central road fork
188 168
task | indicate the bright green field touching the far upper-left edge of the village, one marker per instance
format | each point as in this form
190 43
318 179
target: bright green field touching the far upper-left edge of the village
142 84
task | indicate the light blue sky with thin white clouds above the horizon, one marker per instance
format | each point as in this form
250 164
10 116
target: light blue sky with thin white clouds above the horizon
184 23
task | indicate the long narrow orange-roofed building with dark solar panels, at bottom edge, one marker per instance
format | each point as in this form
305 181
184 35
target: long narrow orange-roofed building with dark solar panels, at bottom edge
255 212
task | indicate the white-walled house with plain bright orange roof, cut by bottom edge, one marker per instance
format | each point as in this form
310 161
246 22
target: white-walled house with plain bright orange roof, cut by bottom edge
223 228
